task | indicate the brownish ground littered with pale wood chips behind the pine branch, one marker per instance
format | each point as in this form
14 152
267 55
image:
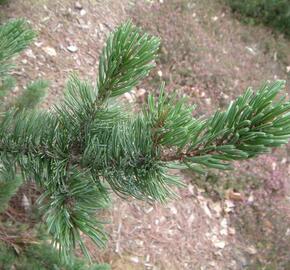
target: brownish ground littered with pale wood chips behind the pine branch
209 56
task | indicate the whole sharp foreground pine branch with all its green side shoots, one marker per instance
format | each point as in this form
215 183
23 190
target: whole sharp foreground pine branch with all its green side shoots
88 146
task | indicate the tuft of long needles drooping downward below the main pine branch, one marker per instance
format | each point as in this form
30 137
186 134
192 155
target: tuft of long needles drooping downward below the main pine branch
74 208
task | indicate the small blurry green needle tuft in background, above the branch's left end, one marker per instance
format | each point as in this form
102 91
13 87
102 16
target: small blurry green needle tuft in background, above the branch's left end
32 95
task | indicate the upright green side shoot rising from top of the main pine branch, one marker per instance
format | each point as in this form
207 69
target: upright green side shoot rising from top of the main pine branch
126 59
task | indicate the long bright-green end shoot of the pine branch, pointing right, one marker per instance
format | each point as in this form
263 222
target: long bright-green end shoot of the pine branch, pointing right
250 126
